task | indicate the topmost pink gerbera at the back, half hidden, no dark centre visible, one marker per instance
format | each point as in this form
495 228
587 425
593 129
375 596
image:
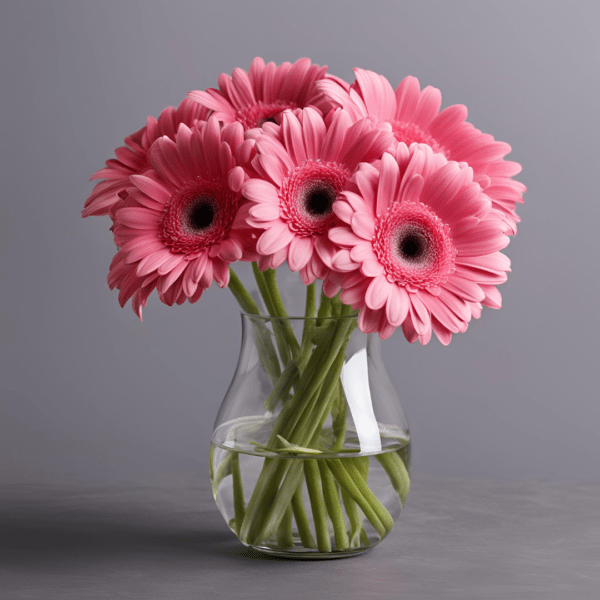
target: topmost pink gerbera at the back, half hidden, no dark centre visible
262 94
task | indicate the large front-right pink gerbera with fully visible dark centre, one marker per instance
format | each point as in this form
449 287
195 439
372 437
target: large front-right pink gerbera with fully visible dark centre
419 245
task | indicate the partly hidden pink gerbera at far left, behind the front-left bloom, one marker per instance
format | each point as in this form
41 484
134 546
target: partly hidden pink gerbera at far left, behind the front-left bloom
132 159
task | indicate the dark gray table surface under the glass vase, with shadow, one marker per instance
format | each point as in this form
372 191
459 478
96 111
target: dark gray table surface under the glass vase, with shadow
164 538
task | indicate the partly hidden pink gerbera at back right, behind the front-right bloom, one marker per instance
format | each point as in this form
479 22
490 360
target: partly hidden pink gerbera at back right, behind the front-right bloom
414 116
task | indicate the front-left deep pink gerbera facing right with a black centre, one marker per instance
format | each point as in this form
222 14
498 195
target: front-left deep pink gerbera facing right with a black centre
180 225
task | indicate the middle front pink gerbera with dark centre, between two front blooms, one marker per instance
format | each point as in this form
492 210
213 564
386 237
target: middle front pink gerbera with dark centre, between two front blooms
302 169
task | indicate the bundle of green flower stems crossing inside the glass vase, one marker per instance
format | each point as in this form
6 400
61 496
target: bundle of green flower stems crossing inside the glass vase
305 375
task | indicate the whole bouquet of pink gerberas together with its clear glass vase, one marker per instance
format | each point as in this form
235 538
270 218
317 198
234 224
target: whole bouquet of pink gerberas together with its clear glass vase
396 210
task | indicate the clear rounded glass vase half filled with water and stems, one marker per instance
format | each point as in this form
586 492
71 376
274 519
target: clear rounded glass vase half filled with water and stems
310 454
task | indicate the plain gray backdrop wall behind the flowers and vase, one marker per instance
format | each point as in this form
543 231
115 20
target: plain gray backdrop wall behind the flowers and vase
90 394
